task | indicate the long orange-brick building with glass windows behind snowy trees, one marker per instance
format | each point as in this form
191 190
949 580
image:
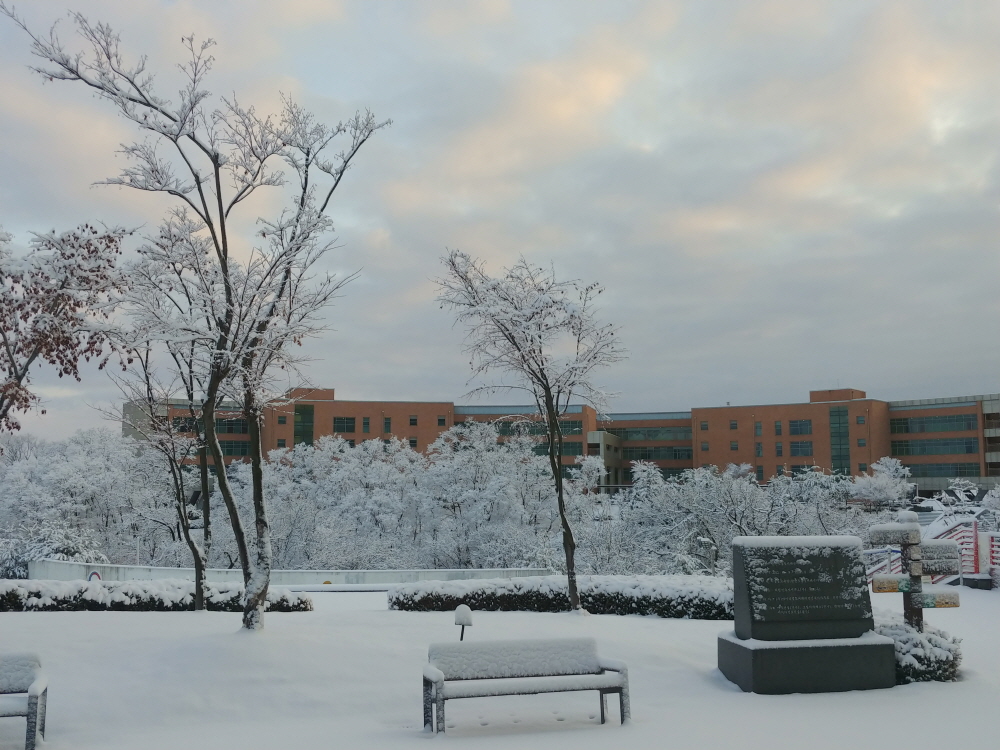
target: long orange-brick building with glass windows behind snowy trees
838 430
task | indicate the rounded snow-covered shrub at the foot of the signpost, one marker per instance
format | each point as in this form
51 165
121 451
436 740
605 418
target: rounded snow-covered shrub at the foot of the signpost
933 655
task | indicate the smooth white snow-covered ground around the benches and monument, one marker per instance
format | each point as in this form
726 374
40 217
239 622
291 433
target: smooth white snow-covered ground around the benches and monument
348 676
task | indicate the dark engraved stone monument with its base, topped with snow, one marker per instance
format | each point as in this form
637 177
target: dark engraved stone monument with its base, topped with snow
803 618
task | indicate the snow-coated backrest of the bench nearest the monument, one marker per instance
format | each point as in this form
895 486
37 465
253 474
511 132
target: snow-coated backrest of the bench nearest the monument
477 660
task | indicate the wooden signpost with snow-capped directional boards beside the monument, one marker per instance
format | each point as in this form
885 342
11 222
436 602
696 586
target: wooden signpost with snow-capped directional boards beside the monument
919 558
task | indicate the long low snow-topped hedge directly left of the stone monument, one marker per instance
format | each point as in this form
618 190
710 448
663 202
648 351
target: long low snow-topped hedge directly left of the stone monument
693 597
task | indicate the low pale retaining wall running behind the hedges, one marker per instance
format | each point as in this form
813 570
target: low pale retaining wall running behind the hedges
57 570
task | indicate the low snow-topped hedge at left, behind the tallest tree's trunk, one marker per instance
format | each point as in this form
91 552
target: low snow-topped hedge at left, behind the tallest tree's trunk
170 595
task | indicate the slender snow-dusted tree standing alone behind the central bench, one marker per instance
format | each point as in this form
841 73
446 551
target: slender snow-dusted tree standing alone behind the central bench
543 332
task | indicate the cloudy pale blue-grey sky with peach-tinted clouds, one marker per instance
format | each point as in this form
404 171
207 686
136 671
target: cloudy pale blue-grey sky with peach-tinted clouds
777 196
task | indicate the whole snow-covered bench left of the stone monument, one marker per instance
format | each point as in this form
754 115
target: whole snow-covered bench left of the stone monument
519 667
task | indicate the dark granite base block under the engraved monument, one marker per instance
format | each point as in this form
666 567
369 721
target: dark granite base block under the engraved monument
818 666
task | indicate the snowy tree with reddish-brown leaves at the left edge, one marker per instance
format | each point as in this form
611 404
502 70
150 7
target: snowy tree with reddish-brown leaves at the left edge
55 303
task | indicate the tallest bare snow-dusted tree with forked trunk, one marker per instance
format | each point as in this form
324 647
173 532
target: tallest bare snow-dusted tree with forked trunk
241 307
